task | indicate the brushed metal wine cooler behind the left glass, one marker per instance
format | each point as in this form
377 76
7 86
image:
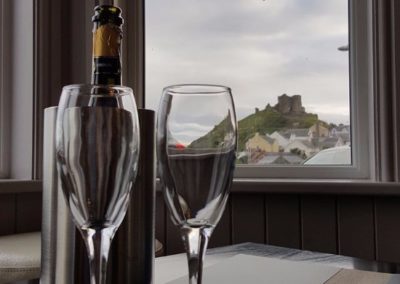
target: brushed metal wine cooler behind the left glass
64 259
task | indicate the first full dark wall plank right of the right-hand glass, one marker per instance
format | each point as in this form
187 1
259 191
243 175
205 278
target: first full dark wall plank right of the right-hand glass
248 218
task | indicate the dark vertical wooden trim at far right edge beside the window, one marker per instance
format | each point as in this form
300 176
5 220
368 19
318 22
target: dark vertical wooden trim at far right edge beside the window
385 100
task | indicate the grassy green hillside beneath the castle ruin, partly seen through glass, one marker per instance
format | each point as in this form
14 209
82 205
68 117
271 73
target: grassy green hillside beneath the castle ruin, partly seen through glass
262 121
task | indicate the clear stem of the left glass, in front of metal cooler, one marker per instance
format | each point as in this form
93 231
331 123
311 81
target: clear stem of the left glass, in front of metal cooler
98 246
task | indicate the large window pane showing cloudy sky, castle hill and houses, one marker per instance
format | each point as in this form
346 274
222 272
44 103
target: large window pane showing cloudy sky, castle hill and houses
287 62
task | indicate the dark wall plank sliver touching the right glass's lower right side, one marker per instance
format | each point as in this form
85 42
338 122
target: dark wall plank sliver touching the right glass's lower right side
222 233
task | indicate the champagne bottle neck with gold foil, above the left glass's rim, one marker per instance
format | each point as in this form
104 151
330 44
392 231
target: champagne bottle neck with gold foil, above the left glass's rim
107 36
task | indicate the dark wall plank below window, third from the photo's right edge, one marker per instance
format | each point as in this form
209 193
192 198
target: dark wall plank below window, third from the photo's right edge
319 223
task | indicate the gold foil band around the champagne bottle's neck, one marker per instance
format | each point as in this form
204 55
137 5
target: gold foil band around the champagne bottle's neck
106 41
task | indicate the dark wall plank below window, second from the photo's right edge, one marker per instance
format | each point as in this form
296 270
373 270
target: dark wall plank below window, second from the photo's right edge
356 227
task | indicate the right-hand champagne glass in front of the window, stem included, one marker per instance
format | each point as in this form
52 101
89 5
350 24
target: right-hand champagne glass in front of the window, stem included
196 147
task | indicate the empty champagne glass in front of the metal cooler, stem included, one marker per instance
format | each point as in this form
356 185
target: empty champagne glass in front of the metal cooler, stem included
97 149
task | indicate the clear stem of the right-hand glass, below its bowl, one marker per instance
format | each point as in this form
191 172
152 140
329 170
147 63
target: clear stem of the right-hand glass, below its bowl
196 241
